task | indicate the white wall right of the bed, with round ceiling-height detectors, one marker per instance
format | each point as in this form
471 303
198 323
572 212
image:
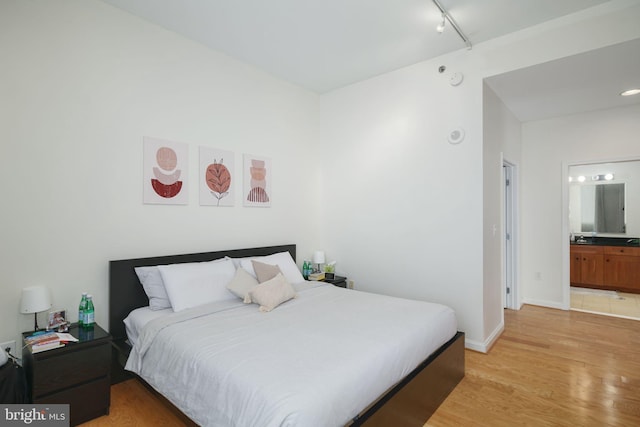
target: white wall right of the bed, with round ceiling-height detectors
405 209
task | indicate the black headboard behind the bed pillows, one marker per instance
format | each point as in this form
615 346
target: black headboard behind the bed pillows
126 292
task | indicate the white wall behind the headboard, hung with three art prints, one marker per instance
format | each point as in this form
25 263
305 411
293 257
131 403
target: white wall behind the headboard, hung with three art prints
81 83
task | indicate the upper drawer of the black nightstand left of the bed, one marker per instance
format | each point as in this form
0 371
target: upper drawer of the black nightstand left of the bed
66 369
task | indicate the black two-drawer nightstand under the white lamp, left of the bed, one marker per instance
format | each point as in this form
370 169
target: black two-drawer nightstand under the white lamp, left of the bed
78 374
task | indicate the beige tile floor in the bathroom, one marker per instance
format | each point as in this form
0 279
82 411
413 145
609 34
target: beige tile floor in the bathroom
611 303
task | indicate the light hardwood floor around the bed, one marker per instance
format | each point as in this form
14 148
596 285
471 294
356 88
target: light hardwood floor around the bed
549 368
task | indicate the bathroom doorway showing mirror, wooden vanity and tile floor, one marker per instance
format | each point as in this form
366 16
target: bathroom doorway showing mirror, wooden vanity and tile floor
582 213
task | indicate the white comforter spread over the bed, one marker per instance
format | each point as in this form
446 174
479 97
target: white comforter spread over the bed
317 360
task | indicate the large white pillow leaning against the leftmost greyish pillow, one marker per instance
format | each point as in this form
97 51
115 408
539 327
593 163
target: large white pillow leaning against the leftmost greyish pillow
192 284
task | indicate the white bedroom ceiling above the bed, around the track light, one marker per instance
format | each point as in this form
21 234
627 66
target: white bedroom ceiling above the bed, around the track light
326 44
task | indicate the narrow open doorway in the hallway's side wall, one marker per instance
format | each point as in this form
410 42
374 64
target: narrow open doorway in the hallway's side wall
509 236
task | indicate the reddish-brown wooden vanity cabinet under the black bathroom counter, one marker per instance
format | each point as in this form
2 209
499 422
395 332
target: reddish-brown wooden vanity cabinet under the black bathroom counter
606 267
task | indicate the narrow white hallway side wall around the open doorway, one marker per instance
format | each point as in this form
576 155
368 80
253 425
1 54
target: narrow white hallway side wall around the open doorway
502 139
